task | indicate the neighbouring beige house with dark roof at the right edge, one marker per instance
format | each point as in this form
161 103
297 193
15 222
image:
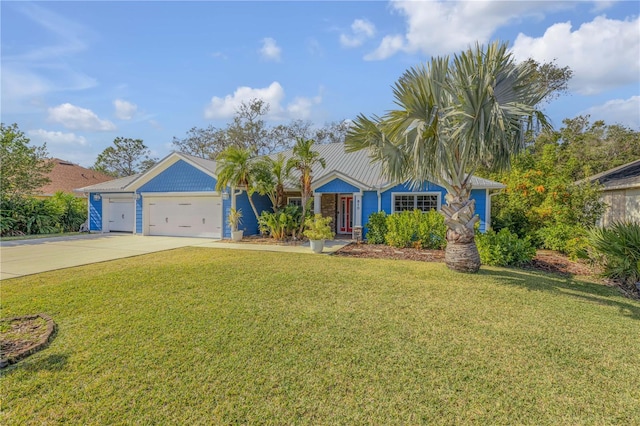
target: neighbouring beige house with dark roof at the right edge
621 193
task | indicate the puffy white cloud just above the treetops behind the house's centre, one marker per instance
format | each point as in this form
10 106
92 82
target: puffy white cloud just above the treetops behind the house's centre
300 108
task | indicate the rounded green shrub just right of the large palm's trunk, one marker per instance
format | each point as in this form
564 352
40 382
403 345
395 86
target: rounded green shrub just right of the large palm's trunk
504 248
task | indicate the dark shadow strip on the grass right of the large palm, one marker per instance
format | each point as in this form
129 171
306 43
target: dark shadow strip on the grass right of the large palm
566 286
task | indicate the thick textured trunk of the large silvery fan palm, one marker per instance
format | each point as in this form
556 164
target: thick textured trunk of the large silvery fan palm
461 253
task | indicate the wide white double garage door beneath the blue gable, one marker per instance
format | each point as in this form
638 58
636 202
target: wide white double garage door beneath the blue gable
185 216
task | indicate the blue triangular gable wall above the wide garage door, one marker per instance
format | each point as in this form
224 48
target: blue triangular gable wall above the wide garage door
180 177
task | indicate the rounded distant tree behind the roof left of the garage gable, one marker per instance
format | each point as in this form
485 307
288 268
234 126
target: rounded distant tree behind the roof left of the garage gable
125 158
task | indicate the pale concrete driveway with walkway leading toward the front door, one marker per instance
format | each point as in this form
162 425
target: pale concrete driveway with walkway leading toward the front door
27 257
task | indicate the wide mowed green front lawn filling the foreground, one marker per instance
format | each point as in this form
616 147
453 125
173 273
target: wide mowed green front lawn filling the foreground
209 336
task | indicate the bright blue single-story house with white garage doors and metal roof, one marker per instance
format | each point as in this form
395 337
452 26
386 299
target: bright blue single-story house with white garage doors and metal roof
177 197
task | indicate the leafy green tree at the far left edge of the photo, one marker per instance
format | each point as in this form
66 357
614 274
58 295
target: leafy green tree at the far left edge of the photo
24 167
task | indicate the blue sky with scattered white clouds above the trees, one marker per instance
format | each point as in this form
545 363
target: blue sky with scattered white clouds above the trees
76 75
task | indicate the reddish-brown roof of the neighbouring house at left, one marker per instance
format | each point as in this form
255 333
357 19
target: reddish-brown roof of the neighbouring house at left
66 176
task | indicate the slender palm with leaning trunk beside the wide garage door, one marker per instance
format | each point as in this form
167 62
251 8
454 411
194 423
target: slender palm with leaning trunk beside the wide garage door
236 168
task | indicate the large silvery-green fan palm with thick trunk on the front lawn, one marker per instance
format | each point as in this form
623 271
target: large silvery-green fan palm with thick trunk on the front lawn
453 116
